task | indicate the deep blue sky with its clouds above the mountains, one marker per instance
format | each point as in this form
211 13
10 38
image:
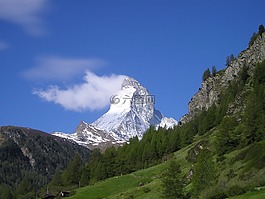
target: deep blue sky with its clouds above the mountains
53 54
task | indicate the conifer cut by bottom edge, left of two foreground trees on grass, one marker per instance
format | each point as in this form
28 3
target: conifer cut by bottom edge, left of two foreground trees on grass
171 182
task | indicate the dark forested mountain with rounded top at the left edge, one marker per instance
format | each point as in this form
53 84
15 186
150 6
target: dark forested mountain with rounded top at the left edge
35 154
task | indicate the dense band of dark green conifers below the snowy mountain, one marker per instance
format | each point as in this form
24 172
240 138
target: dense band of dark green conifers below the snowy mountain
153 149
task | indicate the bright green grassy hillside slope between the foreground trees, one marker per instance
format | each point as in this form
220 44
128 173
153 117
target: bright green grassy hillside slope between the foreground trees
234 178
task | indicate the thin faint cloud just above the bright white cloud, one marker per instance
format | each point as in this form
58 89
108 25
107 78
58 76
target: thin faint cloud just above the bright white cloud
59 68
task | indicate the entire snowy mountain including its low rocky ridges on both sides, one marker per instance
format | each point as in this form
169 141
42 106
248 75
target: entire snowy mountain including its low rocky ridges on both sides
131 113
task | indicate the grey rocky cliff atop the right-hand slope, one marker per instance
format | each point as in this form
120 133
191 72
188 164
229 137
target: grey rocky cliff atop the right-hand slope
210 90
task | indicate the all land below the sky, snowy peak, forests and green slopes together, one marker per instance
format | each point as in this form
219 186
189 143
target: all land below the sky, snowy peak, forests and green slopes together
215 151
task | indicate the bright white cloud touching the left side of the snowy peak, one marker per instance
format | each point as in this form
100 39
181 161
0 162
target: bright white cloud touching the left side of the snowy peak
93 94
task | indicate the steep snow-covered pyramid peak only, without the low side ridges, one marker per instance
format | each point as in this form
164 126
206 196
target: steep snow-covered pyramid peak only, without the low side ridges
131 112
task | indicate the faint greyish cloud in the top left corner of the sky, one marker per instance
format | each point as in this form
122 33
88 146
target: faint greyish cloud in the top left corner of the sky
25 13
